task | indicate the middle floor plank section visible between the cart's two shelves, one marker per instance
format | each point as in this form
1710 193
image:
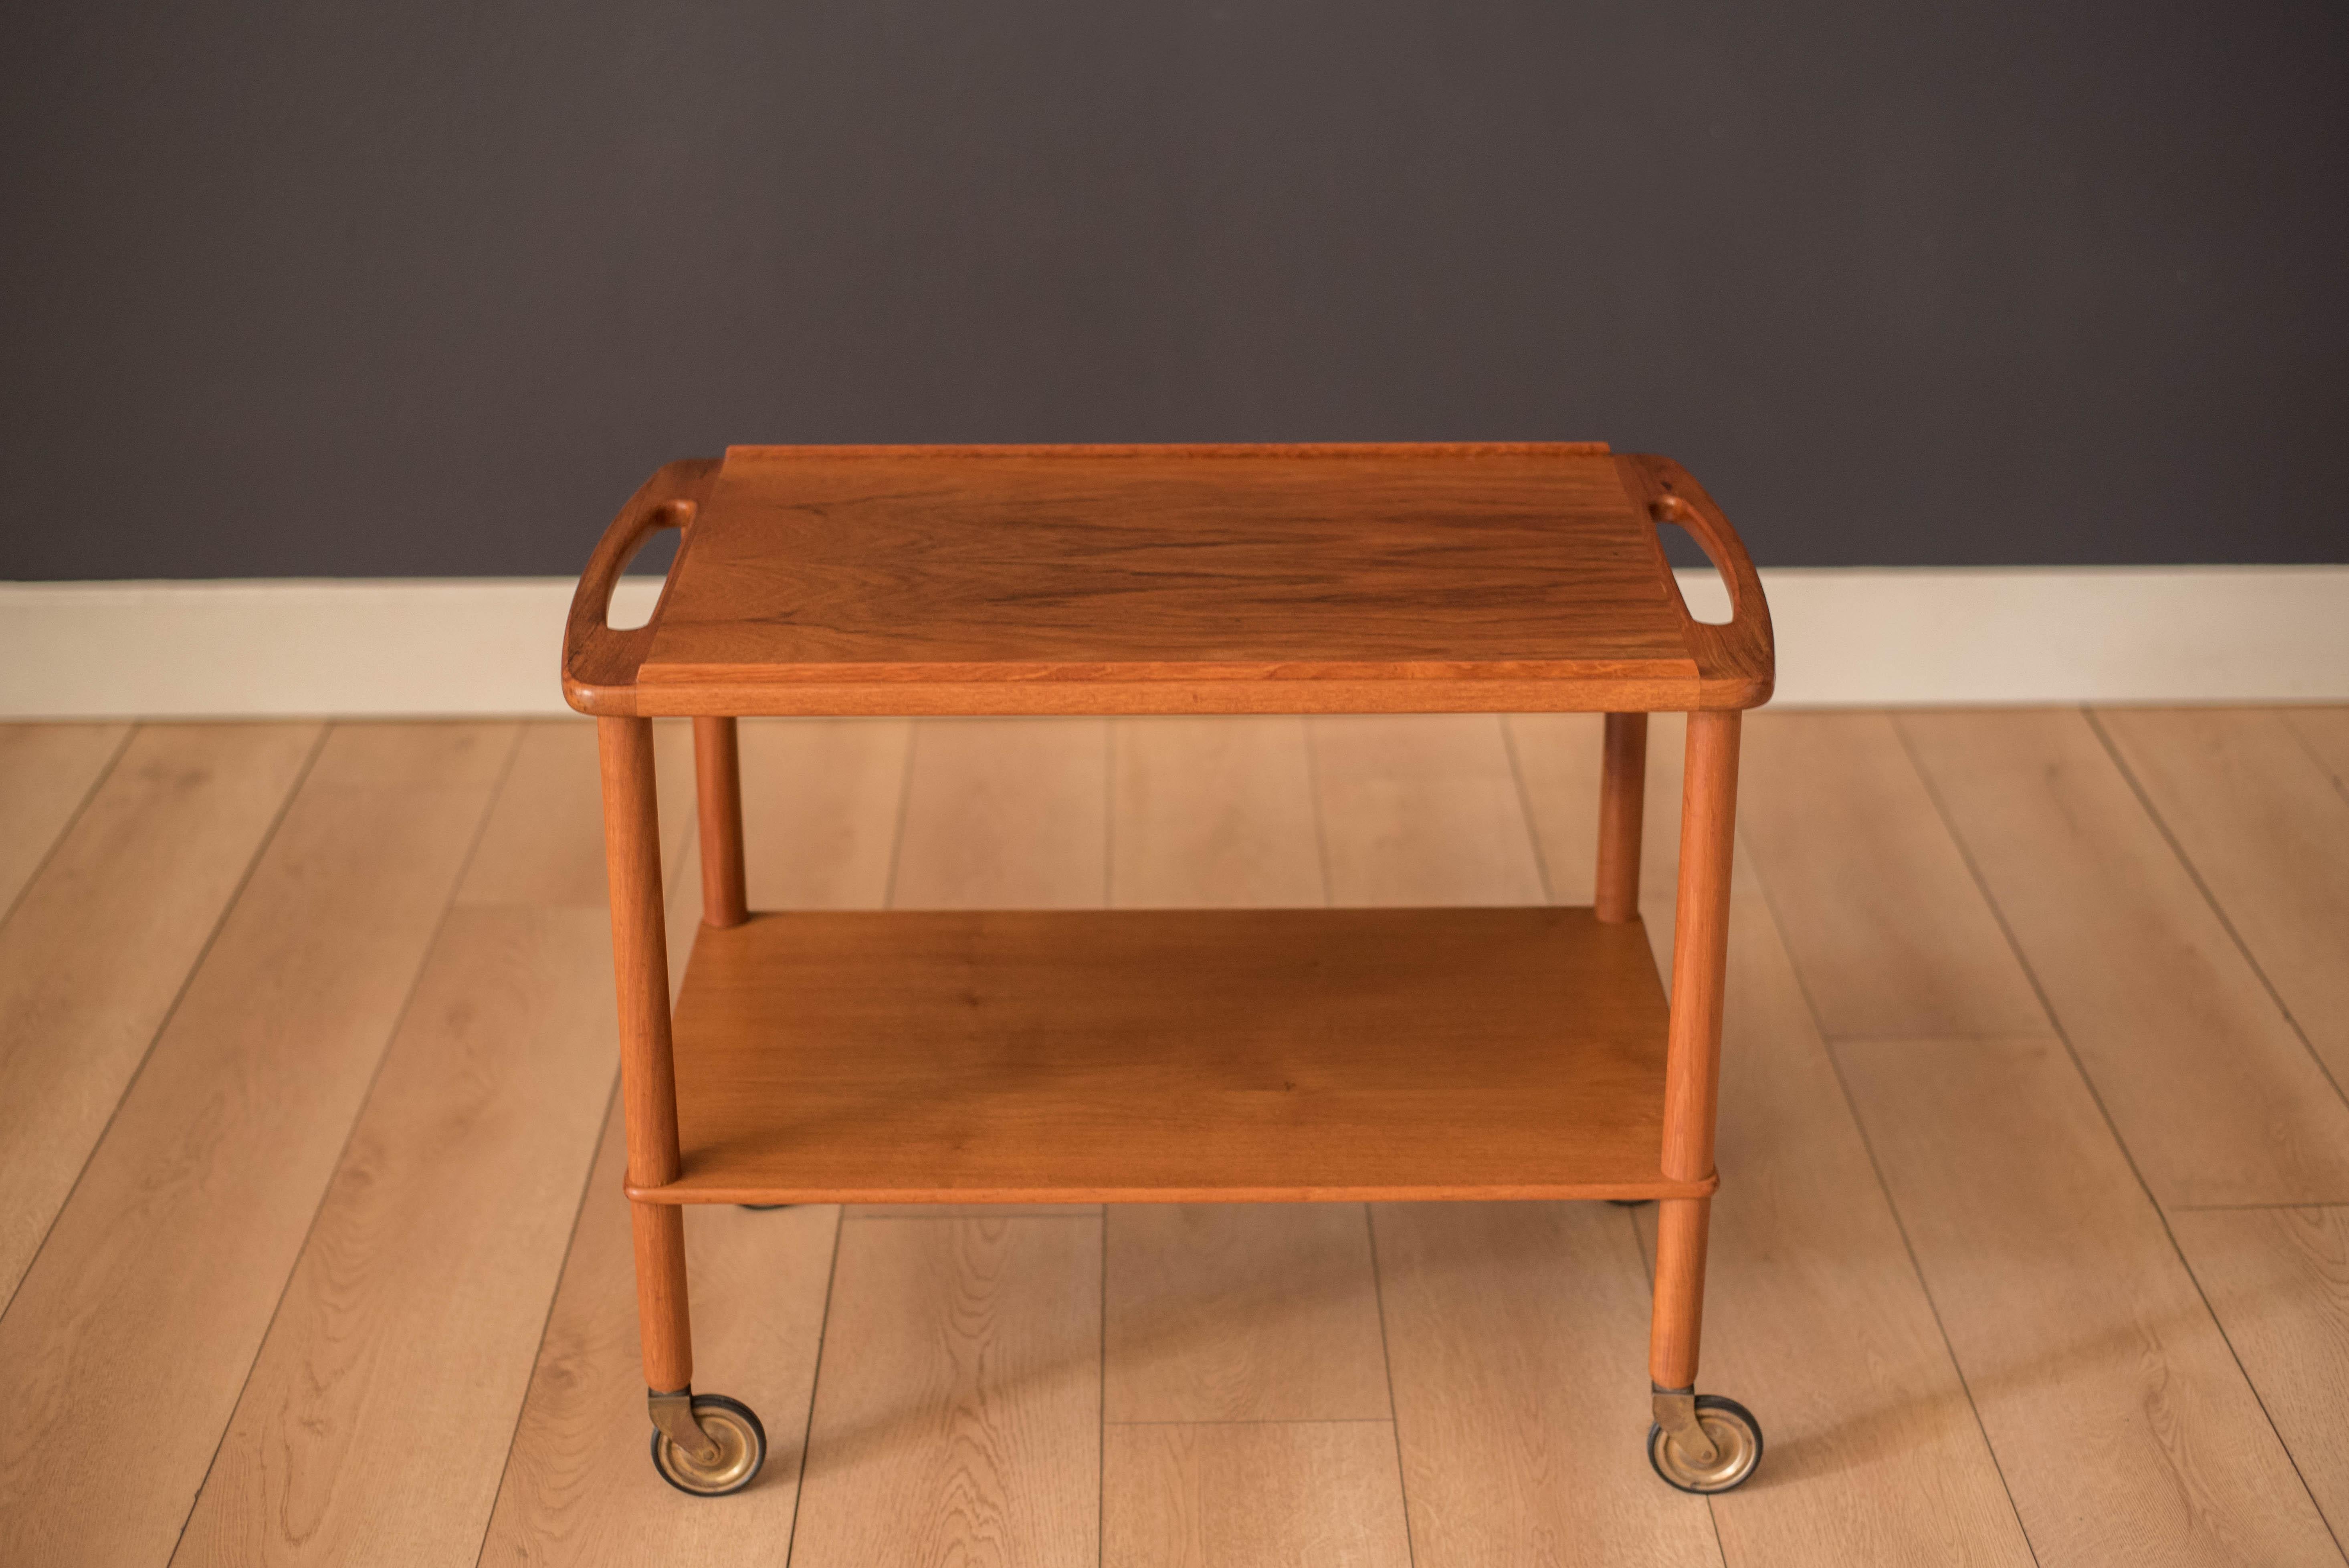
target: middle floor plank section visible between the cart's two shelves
1213 813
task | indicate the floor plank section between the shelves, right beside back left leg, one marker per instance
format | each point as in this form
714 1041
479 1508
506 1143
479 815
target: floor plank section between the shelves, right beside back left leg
821 811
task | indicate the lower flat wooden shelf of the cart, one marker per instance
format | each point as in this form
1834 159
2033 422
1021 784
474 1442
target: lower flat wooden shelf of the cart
1171 1057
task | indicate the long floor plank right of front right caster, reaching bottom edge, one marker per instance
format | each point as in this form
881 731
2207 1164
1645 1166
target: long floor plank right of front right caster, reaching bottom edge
1819 1320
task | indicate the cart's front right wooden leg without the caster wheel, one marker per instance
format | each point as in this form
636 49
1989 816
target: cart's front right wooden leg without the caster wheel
1695 1046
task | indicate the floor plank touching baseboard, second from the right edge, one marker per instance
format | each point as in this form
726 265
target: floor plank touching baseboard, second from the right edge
2268 832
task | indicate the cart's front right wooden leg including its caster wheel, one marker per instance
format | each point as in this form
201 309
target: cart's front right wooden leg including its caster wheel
1697 1442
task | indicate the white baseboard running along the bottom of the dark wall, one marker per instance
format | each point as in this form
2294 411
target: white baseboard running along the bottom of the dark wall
1847 637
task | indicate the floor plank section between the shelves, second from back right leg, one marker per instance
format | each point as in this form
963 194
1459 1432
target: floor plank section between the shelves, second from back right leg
1422 811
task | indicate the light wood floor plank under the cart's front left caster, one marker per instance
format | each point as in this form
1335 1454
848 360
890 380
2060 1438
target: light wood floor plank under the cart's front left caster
579 1487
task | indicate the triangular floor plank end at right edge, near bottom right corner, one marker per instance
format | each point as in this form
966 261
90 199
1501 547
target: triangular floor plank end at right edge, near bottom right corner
2280 1287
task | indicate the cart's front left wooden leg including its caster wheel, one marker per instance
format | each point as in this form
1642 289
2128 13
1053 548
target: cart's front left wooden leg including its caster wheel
701 1442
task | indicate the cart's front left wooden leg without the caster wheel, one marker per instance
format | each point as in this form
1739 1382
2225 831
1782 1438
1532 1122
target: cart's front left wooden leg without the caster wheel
647 1069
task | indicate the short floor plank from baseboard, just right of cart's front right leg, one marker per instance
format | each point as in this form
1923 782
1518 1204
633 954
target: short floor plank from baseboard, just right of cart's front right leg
1880 912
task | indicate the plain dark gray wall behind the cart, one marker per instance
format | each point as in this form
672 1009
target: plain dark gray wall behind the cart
426 288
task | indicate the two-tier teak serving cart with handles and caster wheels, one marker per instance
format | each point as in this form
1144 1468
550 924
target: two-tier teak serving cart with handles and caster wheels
1171 1055
